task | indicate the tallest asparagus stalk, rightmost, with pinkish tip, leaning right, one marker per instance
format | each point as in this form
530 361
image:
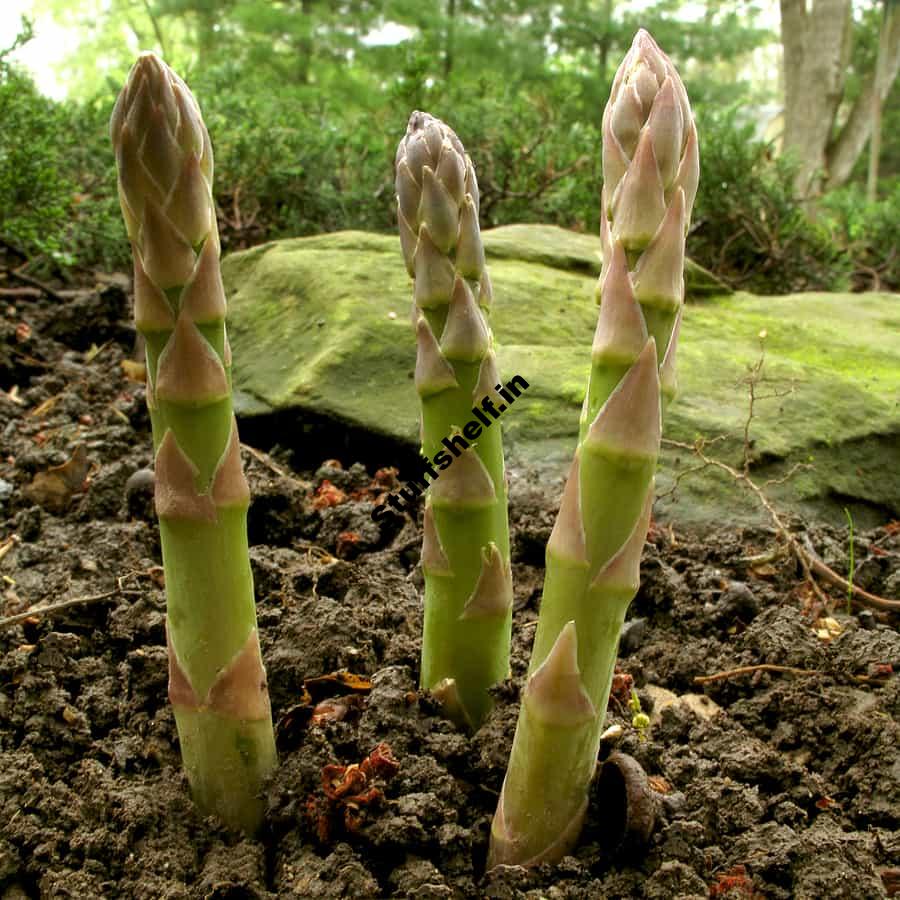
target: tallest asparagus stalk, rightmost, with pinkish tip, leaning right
650 167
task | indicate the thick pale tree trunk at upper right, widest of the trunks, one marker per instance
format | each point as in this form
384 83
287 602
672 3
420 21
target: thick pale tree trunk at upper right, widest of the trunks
816 42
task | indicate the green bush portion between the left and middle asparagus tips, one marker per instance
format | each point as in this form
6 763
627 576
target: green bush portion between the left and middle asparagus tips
294 162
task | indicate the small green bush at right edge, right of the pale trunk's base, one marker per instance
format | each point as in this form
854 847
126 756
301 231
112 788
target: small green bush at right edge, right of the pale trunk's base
869 232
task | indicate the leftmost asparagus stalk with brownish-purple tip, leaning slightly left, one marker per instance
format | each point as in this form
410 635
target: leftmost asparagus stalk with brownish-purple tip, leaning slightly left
217 683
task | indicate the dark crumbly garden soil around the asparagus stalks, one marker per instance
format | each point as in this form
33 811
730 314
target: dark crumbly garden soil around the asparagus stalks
767 784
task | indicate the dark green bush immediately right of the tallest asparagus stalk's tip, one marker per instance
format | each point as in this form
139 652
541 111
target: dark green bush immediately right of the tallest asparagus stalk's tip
748 227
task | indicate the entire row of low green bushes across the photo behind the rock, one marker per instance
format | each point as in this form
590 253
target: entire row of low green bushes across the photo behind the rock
304 159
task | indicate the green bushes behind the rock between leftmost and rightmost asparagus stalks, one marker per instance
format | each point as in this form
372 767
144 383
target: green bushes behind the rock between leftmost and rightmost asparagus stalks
300 162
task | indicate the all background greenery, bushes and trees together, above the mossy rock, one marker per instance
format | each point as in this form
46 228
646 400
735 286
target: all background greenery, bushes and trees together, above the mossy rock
306 105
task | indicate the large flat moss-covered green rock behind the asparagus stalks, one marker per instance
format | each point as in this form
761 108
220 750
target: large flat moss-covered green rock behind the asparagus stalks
320 327
